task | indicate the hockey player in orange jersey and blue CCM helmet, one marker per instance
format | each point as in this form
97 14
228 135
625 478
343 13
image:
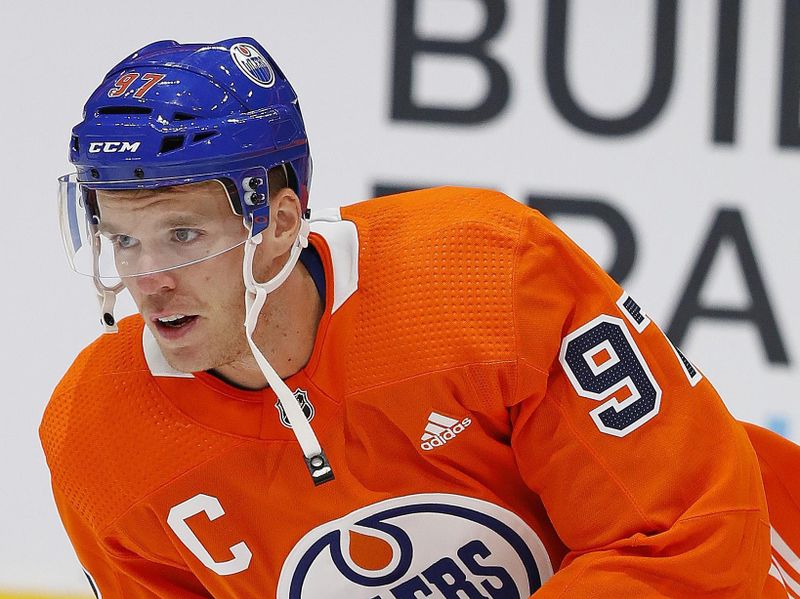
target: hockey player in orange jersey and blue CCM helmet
430 395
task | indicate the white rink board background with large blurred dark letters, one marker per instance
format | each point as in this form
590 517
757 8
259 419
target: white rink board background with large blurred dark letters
662 135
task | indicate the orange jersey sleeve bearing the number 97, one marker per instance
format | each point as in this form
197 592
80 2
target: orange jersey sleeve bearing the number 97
647 479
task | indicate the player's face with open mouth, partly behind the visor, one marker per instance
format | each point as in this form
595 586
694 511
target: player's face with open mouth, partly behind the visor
195 312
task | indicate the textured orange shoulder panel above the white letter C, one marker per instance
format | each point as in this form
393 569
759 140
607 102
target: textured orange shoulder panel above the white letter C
106 426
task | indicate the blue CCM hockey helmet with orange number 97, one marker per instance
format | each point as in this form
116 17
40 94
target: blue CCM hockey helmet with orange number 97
171 114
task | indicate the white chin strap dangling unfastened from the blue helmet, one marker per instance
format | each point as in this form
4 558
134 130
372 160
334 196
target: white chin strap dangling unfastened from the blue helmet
255 297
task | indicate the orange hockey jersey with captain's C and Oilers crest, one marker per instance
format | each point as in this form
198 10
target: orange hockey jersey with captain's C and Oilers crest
502 420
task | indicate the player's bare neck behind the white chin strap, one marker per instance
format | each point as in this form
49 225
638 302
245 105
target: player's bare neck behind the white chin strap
286 333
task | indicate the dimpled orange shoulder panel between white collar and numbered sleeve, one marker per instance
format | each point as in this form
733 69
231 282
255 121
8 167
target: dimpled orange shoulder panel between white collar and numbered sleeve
436 277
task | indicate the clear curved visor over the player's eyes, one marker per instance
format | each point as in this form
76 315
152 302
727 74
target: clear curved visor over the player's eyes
121 232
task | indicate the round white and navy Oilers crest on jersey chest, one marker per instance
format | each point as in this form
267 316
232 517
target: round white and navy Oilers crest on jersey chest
432 545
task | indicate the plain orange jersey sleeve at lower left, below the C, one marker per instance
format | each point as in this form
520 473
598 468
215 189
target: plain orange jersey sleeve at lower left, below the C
117 572
